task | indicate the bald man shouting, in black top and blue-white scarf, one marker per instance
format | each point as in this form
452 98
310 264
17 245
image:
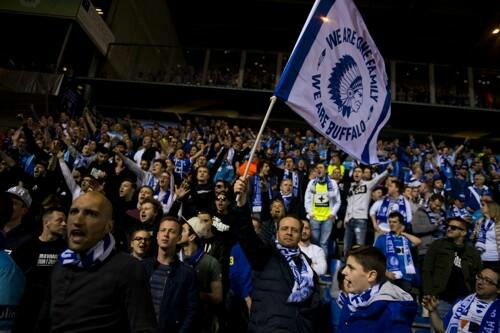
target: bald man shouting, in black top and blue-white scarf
94 288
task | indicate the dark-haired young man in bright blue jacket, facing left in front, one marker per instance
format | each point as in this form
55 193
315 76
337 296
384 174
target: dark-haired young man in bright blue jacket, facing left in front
373 304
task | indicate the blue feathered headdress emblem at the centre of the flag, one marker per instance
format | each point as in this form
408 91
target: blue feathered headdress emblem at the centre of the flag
346 86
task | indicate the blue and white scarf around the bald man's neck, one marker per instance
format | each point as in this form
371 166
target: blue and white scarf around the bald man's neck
92 257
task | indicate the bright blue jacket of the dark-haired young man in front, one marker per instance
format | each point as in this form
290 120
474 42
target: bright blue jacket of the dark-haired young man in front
381 316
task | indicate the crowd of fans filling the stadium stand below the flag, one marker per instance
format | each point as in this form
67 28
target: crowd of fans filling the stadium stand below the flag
212 251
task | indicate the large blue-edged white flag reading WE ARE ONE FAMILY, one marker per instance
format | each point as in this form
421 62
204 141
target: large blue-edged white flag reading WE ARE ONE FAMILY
336 80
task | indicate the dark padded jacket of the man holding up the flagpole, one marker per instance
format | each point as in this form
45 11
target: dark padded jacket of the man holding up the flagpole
273 283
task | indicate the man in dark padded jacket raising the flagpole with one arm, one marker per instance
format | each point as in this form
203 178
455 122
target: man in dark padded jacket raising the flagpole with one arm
285 295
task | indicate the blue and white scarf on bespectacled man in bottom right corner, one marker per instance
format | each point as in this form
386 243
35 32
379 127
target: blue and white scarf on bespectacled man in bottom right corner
489 323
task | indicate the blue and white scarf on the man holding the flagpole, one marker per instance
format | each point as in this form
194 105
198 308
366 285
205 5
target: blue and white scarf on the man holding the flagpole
303 277
